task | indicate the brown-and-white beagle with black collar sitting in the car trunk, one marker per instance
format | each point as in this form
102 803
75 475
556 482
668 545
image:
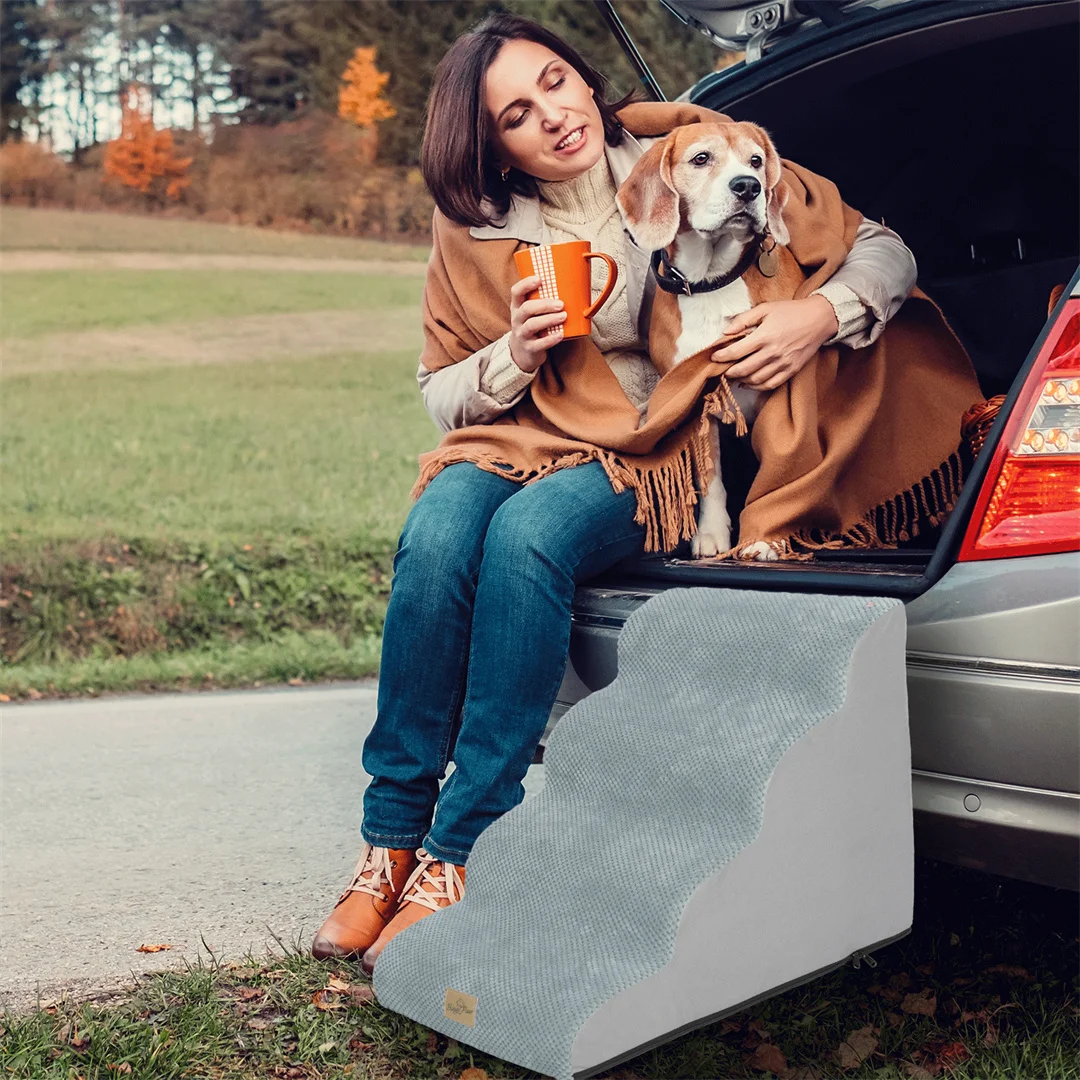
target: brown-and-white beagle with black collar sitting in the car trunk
708 201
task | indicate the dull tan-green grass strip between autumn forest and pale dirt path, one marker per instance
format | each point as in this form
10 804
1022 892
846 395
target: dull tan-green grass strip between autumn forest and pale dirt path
23 228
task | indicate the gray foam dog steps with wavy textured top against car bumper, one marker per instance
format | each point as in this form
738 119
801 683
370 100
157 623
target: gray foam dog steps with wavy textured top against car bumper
731 817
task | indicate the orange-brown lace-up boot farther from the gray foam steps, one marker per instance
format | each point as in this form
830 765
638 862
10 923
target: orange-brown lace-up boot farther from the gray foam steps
368 904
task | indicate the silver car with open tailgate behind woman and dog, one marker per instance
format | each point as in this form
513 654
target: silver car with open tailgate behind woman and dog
956 125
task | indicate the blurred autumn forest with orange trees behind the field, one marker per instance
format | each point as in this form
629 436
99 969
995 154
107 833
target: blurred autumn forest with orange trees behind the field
285 114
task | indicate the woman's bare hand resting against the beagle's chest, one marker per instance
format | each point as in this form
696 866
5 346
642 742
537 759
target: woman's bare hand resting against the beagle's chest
786 335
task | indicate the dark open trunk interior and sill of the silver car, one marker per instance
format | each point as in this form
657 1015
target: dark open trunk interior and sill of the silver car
963 137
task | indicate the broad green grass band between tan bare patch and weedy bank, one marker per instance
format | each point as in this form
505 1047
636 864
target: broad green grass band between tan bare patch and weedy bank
323 445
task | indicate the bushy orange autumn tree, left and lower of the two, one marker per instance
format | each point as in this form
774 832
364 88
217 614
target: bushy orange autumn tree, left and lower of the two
143 157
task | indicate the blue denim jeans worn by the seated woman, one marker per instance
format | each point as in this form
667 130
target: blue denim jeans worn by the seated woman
476 644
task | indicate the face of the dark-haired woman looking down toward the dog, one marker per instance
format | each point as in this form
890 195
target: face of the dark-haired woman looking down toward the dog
543 113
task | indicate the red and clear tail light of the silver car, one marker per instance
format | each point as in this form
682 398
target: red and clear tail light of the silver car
1030 504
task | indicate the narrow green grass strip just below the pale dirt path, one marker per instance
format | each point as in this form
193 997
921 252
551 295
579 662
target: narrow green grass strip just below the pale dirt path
38 303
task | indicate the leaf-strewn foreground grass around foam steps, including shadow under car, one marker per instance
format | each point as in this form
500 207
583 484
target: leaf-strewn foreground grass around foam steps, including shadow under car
993 962
